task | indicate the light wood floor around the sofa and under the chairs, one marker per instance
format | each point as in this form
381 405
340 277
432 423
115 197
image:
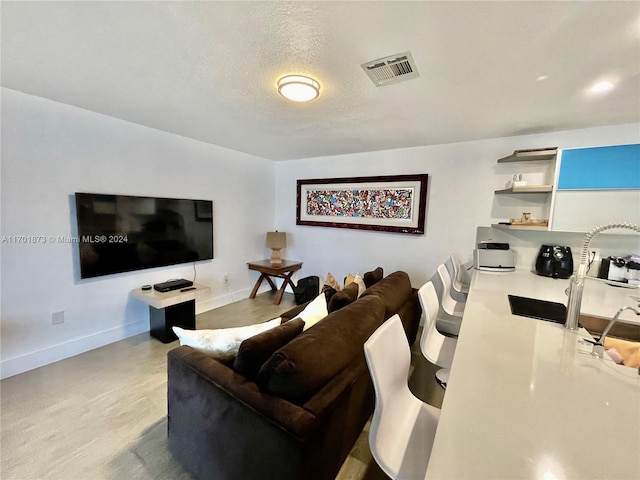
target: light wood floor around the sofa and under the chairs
102 414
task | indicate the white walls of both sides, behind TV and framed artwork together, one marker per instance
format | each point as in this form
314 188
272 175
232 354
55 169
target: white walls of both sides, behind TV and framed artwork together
51 150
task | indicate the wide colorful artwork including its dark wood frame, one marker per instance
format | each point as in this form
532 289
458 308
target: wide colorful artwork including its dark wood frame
392 203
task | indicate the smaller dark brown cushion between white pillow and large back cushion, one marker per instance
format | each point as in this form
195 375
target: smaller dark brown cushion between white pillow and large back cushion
254 351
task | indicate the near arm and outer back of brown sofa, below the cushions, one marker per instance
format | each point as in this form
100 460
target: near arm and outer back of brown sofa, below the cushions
222 426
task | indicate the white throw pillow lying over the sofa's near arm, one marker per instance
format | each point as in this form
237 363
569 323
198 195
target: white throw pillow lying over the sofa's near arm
222 343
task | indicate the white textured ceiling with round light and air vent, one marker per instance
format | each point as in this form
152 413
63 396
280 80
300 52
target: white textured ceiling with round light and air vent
208 70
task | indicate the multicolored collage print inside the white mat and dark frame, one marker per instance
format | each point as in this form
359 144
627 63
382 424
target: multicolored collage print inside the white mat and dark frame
391 203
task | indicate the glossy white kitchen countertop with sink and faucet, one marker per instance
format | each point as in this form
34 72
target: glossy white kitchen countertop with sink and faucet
526 400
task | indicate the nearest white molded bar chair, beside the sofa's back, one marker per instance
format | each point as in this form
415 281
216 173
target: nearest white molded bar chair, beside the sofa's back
403 427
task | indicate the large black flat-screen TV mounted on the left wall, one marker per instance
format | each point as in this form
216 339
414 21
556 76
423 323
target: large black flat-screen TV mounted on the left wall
122 233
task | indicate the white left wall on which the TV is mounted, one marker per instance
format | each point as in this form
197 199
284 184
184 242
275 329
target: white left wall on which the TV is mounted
51 150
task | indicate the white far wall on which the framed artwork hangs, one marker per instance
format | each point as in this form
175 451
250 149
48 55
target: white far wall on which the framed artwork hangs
462 179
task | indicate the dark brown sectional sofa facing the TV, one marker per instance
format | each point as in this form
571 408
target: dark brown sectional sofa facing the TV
299 417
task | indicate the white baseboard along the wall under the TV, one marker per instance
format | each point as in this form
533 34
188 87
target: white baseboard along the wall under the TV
55 353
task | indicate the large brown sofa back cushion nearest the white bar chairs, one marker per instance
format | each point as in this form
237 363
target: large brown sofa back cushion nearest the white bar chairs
304 365
